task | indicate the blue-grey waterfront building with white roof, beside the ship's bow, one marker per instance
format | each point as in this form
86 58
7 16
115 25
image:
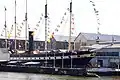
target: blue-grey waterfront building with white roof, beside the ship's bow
107 54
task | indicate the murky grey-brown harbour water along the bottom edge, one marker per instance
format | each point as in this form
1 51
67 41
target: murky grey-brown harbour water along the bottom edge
27 76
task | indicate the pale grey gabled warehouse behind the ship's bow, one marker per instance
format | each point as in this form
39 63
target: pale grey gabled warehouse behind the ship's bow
88 39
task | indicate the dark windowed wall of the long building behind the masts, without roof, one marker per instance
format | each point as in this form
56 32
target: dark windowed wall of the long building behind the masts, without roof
20 44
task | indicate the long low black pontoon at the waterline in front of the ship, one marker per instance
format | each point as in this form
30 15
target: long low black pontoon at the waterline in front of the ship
43 70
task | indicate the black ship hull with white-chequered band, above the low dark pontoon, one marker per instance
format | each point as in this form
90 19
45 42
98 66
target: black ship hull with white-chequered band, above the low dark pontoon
57 58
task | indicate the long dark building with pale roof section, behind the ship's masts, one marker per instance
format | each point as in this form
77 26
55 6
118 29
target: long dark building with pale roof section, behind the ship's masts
57 42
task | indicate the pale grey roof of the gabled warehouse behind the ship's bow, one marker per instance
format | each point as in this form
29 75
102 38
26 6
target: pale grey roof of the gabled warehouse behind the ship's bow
102 37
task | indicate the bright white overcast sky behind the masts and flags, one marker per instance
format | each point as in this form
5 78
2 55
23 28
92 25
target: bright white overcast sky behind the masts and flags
84 16
